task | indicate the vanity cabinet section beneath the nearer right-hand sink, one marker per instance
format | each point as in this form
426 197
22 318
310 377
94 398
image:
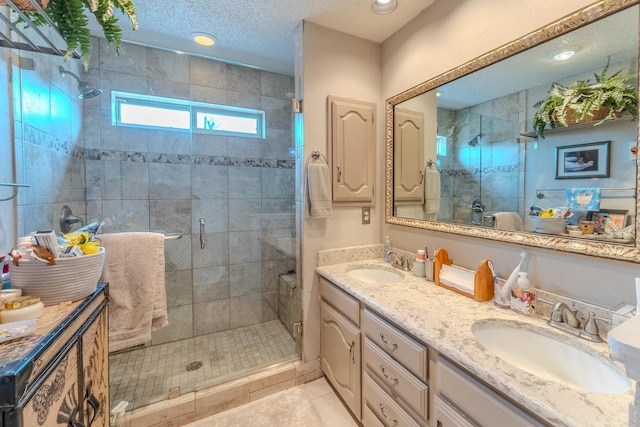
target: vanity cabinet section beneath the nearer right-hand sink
461 401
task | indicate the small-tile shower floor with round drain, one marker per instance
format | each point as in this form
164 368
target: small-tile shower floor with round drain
146 375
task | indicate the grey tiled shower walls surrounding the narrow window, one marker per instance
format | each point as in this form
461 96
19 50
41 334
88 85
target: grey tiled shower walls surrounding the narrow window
165 181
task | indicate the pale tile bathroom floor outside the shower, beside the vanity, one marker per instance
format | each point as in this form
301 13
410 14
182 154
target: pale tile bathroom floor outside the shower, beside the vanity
324 409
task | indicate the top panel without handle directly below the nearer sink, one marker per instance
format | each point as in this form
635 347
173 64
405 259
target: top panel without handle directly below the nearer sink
477 401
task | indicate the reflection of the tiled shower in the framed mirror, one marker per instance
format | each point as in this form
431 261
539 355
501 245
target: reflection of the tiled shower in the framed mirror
482 169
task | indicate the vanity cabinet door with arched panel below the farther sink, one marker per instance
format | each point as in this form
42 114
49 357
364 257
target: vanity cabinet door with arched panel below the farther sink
340 354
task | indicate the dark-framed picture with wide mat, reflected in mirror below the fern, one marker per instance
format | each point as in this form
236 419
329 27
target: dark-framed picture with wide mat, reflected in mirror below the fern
579 161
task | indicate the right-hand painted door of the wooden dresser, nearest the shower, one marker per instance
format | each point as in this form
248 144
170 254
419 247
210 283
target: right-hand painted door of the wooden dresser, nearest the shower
96 373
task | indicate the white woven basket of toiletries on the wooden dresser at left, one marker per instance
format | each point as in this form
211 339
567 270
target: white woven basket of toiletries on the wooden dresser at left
70 279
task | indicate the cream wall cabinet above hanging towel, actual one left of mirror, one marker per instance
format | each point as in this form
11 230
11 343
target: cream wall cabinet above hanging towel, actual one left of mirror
353 147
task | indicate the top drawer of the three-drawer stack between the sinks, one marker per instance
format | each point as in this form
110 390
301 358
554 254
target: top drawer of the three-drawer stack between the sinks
410 353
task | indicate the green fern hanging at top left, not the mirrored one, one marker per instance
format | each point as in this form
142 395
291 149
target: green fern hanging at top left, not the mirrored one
71 17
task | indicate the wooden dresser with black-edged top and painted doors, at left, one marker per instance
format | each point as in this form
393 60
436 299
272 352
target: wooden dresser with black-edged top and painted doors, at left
59 374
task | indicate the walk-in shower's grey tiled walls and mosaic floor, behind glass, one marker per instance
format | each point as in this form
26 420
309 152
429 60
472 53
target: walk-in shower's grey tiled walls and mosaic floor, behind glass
232 302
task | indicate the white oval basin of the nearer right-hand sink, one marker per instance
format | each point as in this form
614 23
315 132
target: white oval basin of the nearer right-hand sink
547 355
